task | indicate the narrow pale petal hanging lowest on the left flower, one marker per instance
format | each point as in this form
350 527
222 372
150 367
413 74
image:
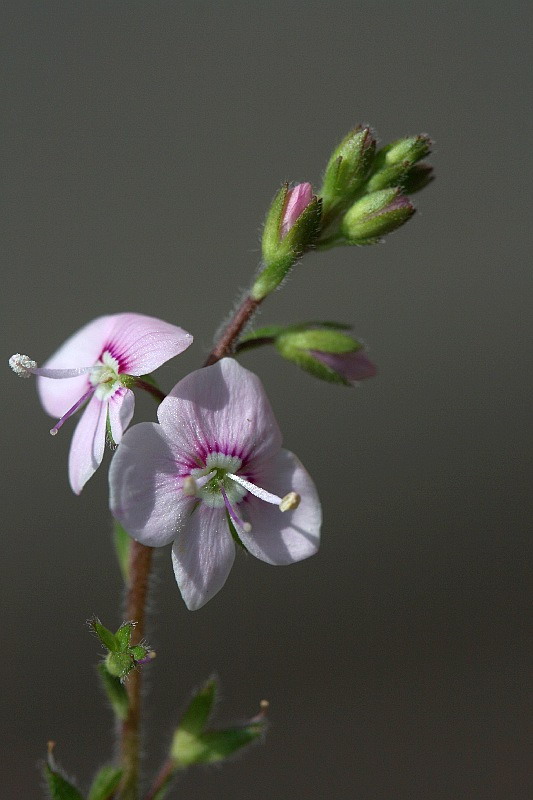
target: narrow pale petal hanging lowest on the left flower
88 443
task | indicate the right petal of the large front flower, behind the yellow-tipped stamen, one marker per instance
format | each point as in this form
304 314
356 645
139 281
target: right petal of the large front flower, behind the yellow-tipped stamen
283 537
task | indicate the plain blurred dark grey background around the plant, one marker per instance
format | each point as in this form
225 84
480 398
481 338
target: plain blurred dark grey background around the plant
143 142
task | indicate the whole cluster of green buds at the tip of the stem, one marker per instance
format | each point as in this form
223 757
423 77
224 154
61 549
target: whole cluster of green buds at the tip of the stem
364 197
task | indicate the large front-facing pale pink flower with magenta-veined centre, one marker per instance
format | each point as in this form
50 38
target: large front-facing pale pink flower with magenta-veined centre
207 474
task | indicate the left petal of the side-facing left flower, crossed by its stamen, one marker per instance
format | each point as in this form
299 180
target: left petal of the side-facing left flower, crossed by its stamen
82 349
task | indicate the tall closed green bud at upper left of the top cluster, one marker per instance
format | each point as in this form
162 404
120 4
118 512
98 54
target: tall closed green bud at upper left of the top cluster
347 170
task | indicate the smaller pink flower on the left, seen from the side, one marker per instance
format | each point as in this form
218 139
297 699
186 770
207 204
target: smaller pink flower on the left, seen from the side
99 363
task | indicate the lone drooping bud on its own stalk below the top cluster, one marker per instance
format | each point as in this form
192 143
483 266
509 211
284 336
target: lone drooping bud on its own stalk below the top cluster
326 353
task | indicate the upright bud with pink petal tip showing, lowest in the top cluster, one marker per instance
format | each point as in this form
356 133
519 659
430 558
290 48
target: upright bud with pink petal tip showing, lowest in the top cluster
291 226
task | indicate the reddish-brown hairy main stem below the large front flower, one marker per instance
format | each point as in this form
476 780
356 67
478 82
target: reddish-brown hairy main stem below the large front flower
139 569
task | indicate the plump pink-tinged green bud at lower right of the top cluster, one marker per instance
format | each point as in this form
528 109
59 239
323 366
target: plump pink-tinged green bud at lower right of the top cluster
375 215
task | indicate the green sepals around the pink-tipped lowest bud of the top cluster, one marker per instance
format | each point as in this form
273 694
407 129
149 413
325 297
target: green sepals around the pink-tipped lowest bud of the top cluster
280 254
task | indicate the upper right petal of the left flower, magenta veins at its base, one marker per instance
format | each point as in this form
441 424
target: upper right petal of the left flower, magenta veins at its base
141 343
